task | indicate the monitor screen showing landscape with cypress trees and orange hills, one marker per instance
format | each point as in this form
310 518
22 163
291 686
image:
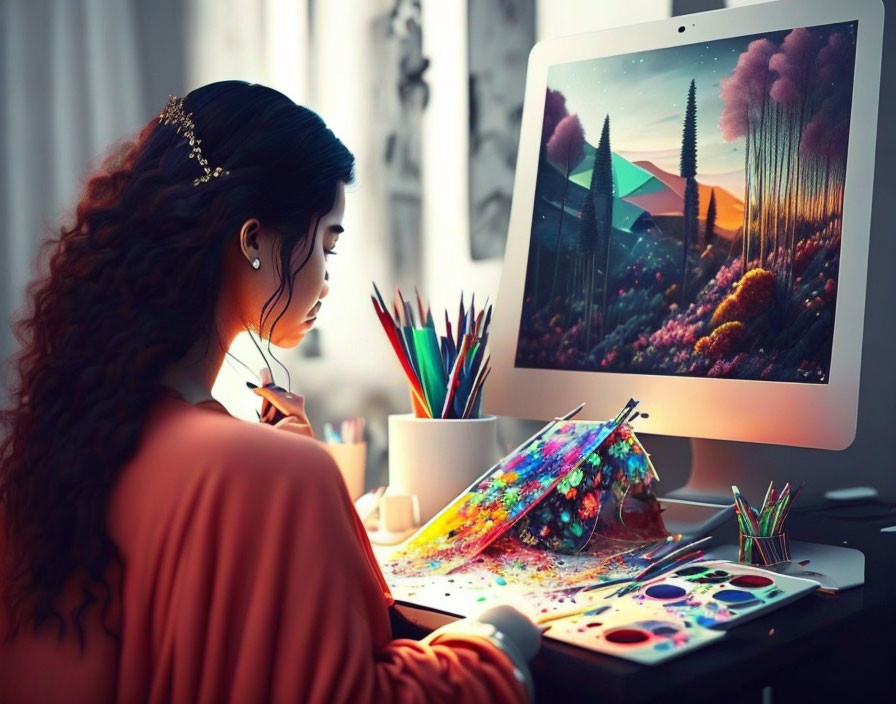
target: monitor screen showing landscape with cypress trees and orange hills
687 215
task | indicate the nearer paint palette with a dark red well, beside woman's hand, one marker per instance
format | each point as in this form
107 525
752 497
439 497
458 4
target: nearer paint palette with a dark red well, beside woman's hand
644 634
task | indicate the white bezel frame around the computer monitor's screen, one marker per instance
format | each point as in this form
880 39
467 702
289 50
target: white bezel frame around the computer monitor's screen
786 413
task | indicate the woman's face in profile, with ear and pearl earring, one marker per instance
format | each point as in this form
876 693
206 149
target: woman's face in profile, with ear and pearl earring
309 283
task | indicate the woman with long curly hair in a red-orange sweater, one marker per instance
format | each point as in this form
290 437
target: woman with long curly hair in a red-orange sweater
153 547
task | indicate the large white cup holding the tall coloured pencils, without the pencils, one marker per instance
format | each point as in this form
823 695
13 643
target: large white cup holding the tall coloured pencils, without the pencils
438 458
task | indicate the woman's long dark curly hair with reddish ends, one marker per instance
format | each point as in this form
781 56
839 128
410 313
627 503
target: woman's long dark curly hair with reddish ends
131 287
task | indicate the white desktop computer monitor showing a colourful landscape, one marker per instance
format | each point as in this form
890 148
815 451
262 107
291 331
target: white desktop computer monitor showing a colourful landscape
690 225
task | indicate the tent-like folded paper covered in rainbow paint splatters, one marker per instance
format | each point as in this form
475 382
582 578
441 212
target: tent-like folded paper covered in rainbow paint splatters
569 482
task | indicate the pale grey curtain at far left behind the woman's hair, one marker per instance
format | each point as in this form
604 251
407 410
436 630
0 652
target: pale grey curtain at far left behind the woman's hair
72 85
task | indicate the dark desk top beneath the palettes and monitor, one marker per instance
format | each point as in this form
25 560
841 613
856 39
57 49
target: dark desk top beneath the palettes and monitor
820 648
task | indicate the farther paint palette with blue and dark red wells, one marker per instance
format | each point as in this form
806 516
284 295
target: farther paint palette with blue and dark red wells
720 594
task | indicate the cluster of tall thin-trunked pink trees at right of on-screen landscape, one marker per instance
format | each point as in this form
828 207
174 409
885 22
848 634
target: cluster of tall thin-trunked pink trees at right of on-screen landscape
791 104
